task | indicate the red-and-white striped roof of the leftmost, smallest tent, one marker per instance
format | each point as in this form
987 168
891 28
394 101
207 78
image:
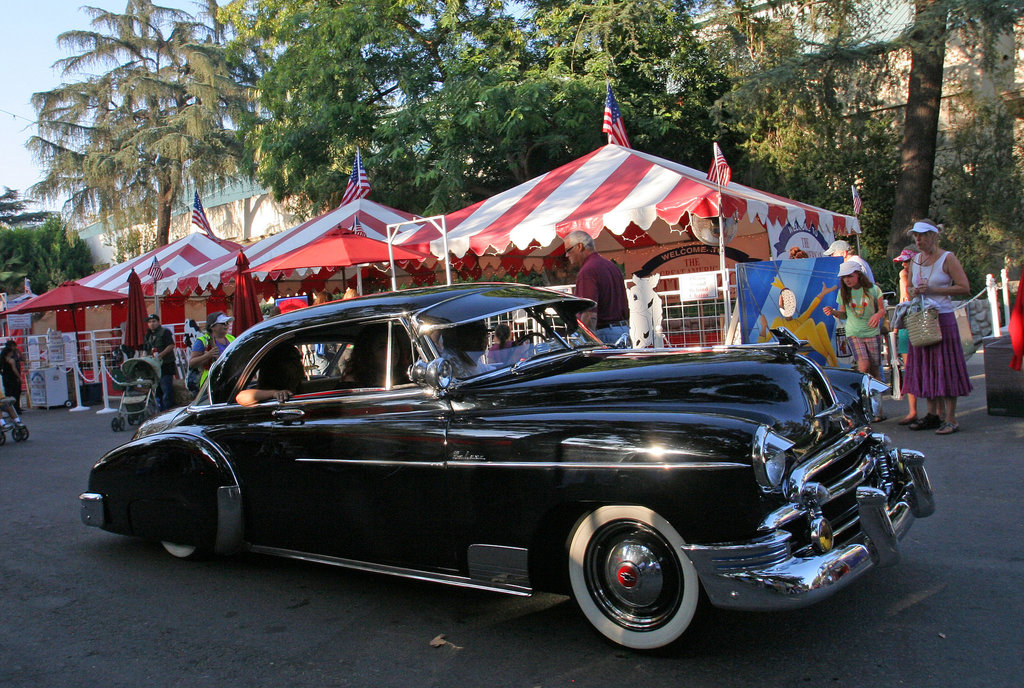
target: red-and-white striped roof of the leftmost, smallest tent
175 260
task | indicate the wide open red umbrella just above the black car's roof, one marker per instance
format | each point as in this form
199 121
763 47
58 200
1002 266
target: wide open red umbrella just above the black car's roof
338 248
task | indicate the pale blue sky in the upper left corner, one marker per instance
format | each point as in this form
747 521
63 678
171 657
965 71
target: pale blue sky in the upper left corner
28 50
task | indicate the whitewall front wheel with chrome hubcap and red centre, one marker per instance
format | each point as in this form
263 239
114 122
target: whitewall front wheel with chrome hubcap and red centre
631 579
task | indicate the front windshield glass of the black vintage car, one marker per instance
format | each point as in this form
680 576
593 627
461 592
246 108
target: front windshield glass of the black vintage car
506 340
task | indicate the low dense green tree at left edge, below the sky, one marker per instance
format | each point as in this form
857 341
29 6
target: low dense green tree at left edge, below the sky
48 255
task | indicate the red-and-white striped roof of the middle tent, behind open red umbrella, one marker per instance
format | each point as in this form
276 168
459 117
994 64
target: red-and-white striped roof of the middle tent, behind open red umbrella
373 220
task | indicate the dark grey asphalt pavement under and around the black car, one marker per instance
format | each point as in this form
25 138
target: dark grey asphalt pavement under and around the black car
83 608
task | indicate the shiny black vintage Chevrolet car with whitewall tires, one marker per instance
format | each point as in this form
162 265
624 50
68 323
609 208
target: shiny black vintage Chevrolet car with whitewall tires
632 480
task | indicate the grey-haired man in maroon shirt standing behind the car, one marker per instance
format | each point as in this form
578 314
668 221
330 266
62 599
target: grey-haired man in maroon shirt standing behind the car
600 280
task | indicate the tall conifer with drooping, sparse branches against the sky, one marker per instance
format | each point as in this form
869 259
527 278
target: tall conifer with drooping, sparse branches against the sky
127 144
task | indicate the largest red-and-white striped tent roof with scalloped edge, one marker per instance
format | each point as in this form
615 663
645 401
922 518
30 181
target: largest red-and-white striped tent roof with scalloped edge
641 200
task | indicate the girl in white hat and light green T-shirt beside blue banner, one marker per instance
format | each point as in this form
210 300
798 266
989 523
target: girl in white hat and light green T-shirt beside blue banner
862 306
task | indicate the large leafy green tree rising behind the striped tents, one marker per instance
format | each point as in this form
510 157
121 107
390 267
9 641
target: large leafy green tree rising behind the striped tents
453 103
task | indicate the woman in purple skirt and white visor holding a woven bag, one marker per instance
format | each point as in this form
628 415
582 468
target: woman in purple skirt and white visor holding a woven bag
937 373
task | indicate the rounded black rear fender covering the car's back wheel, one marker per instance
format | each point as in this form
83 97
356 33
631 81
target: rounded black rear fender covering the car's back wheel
173 487
